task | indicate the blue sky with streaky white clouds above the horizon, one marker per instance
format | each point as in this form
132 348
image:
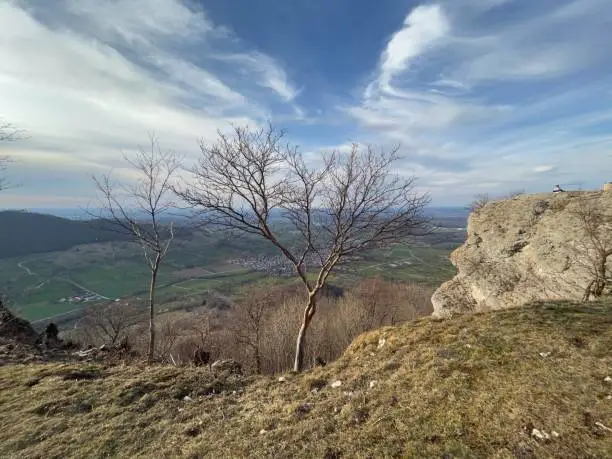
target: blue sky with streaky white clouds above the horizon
483 96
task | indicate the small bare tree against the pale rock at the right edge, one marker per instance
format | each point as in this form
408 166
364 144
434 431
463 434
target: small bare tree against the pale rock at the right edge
595 251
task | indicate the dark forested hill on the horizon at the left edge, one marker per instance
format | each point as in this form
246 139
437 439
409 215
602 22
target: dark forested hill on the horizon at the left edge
22 233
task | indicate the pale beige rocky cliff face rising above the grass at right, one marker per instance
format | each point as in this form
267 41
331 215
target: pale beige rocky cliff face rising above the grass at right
525 249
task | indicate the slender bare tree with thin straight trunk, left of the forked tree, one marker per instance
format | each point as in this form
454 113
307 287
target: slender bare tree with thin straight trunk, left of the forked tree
136 210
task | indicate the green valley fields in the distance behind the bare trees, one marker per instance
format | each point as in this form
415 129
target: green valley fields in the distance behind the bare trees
38 286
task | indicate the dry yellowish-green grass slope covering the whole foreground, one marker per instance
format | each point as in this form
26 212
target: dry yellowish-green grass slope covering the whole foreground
471 386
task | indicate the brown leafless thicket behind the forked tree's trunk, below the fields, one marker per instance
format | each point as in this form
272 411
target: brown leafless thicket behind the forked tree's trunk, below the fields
259 330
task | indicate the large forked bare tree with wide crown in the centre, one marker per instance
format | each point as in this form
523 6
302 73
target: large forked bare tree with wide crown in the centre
349 204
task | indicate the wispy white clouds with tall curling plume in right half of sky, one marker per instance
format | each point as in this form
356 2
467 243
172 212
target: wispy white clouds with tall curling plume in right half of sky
461 86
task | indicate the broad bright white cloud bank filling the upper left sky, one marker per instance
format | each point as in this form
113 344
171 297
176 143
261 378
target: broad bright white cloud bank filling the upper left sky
82 101
